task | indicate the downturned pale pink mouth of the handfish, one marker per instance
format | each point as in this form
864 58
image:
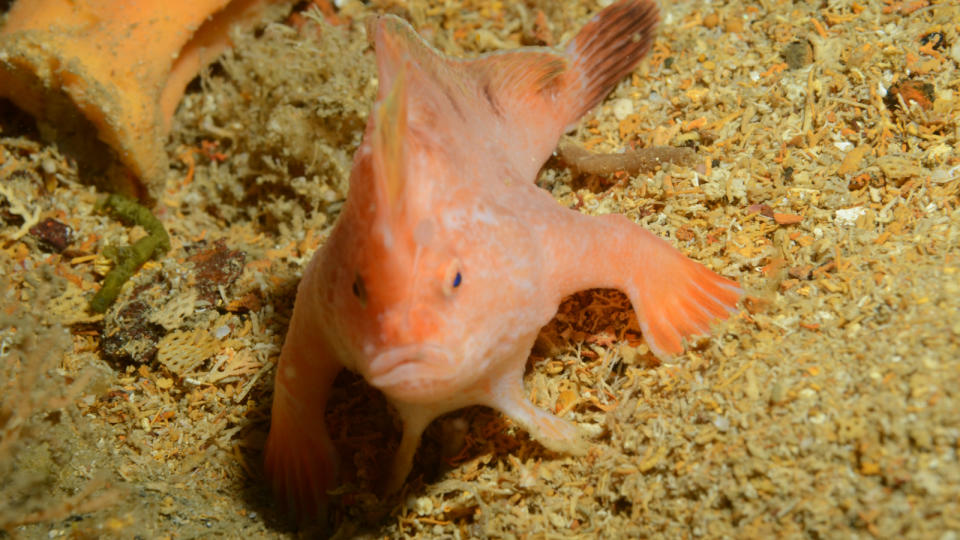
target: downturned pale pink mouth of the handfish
412 371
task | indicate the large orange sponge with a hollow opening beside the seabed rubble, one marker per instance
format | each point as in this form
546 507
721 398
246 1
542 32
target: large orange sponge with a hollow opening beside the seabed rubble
117 66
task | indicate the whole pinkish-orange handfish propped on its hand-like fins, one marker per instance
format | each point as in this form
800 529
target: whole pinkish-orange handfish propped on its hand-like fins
447 260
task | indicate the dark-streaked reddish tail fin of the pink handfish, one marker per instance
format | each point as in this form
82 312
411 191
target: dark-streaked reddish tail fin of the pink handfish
607 48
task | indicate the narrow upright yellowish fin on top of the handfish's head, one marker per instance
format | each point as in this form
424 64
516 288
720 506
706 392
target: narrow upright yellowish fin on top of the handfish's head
388 143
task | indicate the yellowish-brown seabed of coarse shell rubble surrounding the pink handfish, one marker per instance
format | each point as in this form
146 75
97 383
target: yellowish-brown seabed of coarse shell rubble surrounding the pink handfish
826 181
